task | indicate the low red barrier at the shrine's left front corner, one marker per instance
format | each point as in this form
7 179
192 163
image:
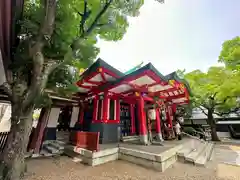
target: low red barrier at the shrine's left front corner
87 140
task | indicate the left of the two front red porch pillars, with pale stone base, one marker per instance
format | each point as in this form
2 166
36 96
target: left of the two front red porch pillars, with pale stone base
142 121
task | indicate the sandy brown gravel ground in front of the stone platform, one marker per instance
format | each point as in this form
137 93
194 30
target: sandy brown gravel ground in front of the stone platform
64 168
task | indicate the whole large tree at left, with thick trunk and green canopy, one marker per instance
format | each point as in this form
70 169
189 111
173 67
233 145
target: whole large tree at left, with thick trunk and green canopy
54 34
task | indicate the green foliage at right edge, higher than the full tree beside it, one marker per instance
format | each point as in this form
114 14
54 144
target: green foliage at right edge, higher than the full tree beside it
230 54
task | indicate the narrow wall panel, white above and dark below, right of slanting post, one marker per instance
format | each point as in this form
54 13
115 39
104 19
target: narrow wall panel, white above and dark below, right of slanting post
50 131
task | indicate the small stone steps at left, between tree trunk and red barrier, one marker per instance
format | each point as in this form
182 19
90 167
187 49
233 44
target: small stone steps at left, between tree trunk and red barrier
52 147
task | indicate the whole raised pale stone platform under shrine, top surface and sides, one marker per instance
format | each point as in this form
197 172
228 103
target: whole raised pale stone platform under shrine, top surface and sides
155 157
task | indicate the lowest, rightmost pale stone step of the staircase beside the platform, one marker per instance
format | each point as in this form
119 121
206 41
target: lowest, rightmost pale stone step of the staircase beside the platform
204 155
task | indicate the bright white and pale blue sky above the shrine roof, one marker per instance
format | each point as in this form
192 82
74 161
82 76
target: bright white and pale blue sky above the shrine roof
180 34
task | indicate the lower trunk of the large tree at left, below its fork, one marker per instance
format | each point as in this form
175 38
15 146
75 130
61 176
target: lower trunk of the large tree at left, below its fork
12 165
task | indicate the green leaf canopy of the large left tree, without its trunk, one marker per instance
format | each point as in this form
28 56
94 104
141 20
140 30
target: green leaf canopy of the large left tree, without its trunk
78 25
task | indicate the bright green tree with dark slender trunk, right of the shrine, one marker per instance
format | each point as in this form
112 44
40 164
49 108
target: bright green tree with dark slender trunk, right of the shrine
215 92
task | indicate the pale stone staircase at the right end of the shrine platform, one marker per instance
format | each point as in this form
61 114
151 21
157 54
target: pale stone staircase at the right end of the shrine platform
195 151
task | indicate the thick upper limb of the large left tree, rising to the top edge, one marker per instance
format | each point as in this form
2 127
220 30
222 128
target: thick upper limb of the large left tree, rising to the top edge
45 33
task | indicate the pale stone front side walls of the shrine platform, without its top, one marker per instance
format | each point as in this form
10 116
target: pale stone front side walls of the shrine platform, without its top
159 162
